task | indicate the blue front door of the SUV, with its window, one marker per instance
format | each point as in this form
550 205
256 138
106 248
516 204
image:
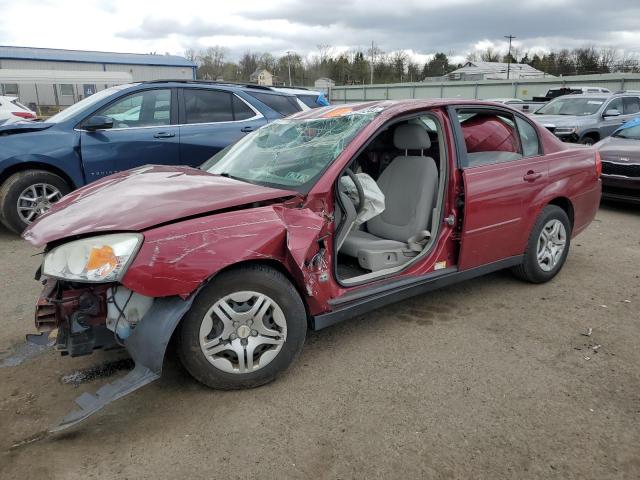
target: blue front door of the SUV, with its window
143 133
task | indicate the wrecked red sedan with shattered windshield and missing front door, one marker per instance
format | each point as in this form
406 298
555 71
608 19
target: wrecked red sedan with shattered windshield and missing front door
306 222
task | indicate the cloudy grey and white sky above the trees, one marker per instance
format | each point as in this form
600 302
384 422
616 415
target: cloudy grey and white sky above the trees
420 28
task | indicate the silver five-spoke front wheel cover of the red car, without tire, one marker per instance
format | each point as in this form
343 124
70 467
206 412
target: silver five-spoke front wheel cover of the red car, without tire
242 332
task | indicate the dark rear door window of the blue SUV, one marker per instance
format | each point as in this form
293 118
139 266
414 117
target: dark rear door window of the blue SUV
207 106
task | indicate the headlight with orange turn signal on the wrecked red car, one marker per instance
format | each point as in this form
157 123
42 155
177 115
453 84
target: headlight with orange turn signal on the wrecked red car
95 259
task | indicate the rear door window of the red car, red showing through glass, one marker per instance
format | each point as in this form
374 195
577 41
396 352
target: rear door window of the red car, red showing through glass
489 137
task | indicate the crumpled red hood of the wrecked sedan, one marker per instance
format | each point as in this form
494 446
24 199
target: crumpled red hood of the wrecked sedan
141 198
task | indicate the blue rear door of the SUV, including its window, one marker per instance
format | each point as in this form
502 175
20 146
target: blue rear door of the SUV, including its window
210 120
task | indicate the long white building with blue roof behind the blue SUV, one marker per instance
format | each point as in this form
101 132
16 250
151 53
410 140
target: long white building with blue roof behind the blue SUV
52 77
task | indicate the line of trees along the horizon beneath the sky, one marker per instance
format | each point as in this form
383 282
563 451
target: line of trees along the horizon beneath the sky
354 67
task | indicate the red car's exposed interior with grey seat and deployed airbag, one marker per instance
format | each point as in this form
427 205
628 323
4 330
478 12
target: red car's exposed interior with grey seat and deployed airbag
389 200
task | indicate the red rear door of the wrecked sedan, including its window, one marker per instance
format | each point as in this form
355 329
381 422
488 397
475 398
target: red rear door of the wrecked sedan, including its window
503 169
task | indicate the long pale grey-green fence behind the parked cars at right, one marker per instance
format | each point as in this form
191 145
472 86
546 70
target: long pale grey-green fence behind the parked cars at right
521 88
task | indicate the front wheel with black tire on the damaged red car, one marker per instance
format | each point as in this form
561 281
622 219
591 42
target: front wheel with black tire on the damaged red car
223 369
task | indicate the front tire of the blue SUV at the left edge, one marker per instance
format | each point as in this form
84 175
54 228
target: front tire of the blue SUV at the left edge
13 188
